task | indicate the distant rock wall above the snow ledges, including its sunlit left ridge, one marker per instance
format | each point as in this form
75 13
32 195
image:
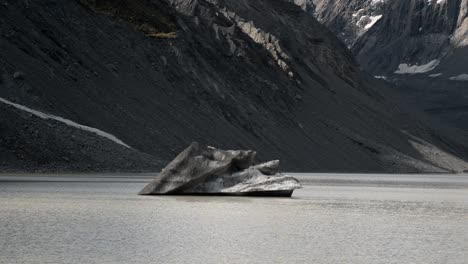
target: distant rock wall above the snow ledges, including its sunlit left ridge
413 32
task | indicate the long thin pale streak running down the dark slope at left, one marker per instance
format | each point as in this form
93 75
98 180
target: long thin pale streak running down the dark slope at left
65 121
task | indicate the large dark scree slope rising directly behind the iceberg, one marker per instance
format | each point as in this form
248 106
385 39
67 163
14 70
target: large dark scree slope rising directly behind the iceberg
94 85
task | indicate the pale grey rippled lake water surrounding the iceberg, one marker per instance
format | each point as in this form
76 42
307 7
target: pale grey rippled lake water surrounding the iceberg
335 218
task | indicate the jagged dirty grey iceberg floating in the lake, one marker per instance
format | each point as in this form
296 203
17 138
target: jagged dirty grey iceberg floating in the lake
205 170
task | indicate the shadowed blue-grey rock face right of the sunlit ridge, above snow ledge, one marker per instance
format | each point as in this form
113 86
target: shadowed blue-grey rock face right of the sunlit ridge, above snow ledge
411 32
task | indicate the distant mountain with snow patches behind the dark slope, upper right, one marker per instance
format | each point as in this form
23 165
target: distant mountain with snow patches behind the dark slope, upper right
420 46
